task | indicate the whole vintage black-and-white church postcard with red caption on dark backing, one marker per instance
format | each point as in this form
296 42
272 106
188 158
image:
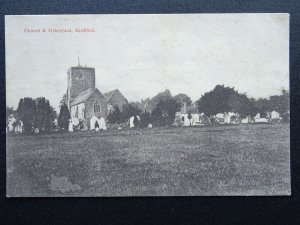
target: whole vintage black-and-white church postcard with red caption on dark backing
147 105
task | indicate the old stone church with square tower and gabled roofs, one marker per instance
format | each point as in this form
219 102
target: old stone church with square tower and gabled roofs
84 100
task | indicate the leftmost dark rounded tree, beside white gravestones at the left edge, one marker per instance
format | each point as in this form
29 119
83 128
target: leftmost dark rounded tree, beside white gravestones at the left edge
26 112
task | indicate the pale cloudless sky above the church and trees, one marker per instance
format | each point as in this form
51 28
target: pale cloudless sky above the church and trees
142 55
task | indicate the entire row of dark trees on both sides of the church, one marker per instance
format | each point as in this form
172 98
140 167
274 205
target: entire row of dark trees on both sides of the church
159 110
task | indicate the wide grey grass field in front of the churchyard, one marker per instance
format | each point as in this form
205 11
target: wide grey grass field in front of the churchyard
223 160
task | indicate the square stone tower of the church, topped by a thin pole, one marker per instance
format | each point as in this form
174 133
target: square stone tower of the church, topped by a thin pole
80 79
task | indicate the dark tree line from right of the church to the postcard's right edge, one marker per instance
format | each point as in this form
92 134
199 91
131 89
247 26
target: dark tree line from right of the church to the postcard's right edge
161 109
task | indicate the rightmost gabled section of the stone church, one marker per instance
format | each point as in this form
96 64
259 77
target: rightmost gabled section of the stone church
115 98
